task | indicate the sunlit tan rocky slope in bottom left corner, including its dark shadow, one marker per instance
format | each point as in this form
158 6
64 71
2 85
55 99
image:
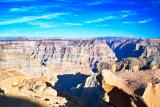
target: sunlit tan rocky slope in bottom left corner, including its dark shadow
16 86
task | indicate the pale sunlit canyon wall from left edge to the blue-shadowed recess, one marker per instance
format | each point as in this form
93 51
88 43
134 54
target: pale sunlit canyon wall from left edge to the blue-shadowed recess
41 56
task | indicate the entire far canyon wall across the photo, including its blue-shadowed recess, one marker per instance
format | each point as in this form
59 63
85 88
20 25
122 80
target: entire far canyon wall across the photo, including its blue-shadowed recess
77 55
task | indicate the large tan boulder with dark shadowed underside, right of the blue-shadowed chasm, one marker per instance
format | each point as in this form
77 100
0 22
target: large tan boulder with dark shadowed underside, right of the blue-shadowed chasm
117 92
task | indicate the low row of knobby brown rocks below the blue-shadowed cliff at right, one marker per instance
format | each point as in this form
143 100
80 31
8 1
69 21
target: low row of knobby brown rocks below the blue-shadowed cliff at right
131 64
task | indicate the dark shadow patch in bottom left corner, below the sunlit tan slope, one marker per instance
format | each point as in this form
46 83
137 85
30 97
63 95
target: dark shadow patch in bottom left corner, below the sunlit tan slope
16 102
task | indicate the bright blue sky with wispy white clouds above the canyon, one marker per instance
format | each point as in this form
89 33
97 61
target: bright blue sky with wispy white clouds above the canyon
80 18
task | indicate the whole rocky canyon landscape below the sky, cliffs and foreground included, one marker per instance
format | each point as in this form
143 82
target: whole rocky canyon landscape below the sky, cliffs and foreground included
79 73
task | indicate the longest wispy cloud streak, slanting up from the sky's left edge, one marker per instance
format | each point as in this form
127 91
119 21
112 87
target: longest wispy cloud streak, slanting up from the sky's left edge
31 18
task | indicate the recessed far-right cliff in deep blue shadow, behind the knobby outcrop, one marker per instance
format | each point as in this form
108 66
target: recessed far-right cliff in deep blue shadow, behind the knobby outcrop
135 48
